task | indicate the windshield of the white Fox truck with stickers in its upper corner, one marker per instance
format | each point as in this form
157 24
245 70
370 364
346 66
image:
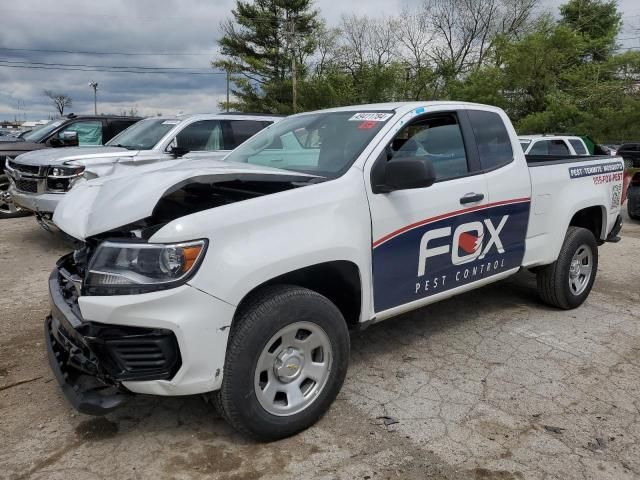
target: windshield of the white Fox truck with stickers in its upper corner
324 144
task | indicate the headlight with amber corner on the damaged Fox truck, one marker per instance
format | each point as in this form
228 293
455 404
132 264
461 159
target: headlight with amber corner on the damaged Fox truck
119 268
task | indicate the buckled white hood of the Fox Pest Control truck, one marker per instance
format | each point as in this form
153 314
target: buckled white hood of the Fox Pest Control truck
104 204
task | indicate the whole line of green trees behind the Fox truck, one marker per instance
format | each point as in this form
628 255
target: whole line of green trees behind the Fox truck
554 76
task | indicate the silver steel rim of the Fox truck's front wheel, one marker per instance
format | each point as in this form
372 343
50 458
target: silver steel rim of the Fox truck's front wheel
293 368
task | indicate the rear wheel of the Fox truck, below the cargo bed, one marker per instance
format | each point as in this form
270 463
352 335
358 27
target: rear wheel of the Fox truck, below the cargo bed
566 283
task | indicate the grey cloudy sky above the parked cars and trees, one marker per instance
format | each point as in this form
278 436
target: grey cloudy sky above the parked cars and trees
166 27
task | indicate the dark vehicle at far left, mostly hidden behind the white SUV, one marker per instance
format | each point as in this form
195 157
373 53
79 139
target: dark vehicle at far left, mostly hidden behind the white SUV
70 131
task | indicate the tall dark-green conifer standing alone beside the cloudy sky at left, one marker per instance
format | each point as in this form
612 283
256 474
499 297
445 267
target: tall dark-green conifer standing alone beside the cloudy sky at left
261 46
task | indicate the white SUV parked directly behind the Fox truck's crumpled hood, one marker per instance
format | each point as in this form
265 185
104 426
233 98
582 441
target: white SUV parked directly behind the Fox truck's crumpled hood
40 179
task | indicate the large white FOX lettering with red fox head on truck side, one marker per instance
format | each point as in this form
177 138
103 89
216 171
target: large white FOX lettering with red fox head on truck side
467 243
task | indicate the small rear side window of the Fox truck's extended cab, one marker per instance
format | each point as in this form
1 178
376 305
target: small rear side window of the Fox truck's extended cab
492 138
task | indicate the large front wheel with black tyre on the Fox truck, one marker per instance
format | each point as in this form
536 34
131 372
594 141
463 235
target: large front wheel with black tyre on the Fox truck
286 360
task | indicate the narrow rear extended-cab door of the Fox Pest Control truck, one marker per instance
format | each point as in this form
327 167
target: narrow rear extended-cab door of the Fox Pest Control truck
509 185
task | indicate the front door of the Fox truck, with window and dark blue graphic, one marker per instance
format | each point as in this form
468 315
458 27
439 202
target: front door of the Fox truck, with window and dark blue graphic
430 240
